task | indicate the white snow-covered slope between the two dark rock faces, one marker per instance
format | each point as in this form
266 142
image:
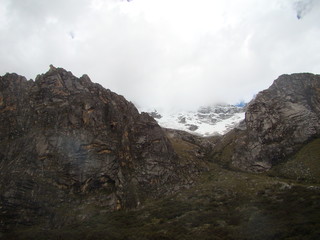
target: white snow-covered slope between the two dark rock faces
207 121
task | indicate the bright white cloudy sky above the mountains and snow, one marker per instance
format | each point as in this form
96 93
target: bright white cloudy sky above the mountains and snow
164 53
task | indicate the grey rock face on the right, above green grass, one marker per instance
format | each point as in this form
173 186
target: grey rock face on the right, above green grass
277 122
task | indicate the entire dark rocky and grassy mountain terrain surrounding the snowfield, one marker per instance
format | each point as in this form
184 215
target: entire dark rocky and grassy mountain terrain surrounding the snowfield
78 161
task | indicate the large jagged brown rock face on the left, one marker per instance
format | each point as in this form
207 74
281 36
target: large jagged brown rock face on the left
65 140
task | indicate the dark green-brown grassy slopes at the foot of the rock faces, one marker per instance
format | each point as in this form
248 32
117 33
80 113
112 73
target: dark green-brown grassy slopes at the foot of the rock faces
222 204
